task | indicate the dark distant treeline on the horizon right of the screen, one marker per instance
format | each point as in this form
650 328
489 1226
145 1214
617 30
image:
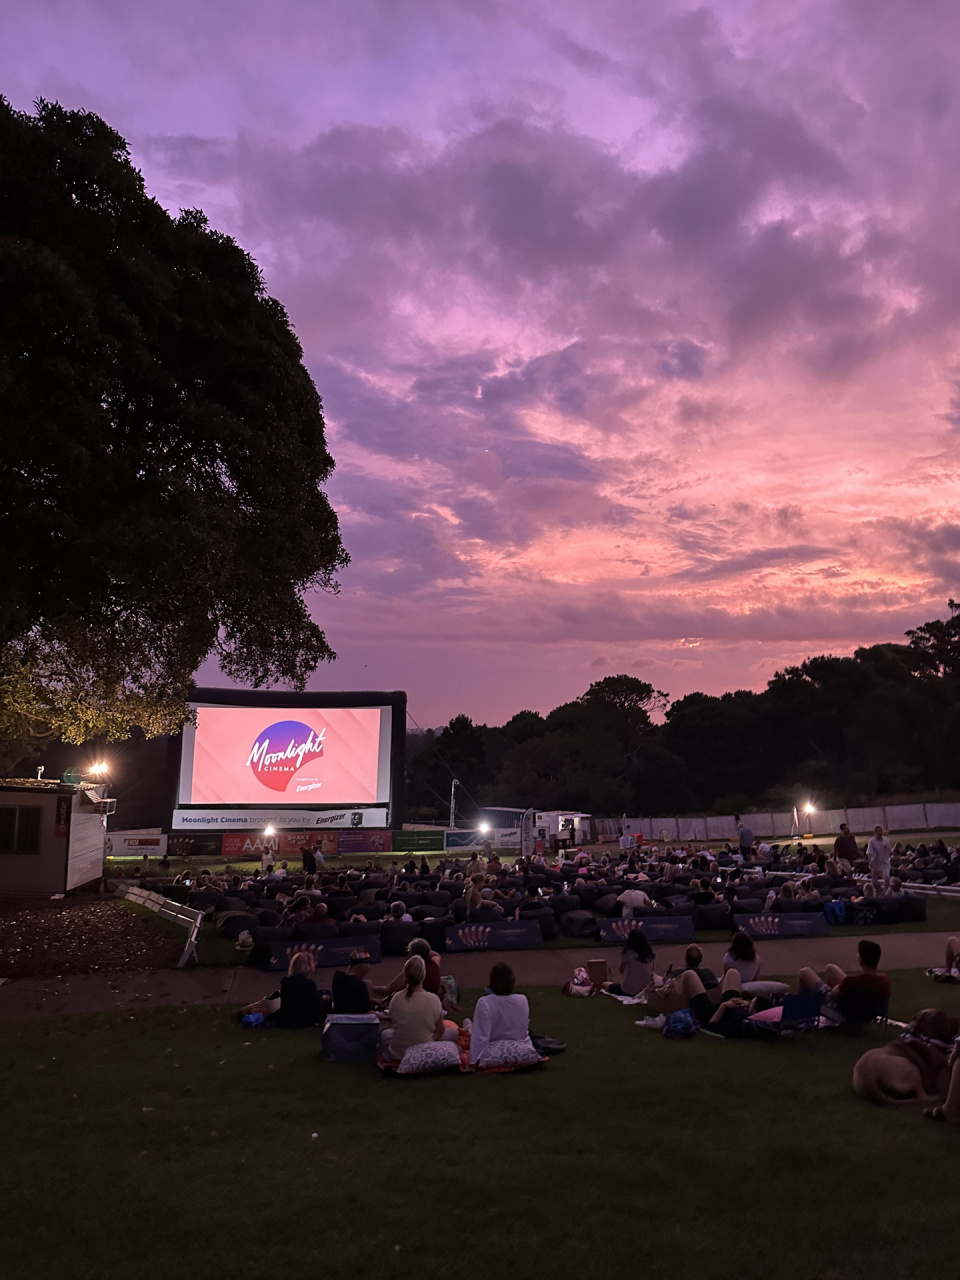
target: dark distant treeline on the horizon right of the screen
880 725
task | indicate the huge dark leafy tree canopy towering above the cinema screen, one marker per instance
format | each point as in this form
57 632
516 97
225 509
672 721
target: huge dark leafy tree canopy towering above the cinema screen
163 449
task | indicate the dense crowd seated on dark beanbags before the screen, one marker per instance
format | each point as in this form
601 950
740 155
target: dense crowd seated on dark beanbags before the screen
566 895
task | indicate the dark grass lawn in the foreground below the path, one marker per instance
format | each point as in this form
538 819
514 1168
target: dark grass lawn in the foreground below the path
162 1144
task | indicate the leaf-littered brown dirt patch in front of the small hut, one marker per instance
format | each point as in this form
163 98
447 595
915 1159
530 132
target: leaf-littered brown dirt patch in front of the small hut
47 940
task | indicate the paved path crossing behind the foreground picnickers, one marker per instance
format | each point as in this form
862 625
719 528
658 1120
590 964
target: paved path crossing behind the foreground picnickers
98 993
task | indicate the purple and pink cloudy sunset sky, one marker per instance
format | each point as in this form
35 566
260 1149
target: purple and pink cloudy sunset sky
636 323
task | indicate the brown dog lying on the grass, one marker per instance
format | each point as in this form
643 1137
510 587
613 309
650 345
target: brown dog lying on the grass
913 1068
